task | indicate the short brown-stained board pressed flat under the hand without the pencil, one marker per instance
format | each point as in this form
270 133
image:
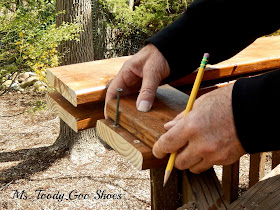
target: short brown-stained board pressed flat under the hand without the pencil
148 126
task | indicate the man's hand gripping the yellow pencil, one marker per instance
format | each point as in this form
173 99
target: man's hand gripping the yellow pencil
205 137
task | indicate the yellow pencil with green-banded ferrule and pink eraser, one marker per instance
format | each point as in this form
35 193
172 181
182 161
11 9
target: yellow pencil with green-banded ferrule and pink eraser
189 106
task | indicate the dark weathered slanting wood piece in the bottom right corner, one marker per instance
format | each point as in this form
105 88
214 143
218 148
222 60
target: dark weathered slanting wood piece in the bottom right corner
263 195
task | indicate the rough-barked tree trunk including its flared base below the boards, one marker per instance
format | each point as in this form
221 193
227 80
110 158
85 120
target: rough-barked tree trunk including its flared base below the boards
77 52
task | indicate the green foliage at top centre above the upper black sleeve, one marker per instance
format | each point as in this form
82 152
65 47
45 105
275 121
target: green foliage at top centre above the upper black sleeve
148 17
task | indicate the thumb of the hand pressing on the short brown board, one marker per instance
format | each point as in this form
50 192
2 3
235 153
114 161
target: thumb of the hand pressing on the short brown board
148 90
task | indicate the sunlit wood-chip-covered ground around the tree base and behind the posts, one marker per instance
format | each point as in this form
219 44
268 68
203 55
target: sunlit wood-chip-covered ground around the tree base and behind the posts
88 176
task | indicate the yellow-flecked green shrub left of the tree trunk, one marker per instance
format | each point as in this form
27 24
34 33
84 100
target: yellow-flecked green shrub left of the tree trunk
29 37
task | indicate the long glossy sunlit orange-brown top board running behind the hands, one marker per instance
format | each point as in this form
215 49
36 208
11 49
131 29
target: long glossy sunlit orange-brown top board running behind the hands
86 82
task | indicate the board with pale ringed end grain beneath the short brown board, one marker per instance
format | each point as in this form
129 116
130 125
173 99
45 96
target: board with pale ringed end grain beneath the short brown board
136 152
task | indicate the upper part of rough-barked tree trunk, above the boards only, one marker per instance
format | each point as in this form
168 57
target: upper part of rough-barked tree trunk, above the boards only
81 51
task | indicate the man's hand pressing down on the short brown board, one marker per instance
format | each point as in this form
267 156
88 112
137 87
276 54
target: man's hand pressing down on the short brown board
146 69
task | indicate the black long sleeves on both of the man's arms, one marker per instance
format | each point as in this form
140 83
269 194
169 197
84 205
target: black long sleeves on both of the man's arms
223 28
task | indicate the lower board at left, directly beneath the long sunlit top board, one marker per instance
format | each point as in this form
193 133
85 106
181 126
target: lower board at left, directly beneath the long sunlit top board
78 118
